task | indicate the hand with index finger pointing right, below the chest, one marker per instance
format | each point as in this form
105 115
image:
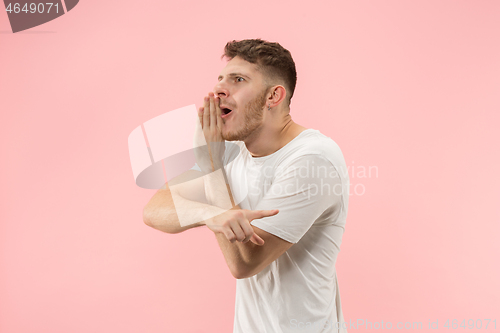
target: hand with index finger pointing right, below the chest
235 224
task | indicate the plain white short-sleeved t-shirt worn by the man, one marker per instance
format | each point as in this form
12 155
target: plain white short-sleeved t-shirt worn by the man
307 181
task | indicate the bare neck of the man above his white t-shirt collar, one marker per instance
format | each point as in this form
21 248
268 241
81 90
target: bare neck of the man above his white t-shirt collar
270 140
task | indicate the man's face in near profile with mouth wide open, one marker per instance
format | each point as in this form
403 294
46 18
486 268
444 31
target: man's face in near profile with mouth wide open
242 90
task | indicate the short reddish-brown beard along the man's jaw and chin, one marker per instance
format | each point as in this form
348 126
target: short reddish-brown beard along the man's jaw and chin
252 114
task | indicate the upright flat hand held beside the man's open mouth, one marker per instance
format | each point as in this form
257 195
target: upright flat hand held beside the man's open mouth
210 157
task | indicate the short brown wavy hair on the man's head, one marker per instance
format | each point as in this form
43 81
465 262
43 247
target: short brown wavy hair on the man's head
272 59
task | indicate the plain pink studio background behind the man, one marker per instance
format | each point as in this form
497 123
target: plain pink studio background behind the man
410 87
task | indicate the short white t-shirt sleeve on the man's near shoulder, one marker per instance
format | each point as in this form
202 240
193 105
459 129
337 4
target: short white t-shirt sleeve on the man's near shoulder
302 191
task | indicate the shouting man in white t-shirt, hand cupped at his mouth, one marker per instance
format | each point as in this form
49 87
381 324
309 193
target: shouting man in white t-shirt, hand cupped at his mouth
274 193
